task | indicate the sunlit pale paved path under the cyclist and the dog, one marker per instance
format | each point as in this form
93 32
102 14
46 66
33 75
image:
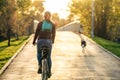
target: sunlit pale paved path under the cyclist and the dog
69 63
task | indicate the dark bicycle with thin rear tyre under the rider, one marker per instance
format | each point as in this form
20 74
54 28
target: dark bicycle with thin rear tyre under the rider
45 69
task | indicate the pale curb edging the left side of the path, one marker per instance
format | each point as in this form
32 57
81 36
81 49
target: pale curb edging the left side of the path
15 55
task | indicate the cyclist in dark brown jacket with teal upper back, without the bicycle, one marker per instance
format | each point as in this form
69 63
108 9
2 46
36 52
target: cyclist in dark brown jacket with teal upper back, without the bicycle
45 35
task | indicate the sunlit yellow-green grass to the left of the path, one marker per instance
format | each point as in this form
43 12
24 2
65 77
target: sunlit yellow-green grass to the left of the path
6 52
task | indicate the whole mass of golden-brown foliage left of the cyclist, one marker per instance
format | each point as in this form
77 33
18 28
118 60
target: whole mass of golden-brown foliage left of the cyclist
17 16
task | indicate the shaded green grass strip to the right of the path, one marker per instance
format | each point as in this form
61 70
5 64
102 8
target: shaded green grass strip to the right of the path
109 45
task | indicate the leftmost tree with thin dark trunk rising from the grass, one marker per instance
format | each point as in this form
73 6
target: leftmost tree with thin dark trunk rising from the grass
7 15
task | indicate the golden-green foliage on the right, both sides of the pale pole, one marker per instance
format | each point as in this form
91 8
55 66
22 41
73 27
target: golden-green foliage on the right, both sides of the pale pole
106 17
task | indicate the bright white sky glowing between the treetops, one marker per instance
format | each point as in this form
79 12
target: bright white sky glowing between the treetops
57 6
